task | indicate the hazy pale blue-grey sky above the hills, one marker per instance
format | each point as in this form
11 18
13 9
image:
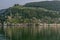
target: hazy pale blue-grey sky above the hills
7 3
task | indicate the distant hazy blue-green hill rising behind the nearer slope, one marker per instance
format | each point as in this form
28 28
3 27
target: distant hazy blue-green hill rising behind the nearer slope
51 5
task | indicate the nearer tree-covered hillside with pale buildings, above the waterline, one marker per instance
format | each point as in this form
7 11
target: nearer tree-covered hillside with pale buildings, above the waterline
20 14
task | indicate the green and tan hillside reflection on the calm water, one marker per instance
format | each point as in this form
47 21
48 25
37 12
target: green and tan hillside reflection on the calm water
33 31
